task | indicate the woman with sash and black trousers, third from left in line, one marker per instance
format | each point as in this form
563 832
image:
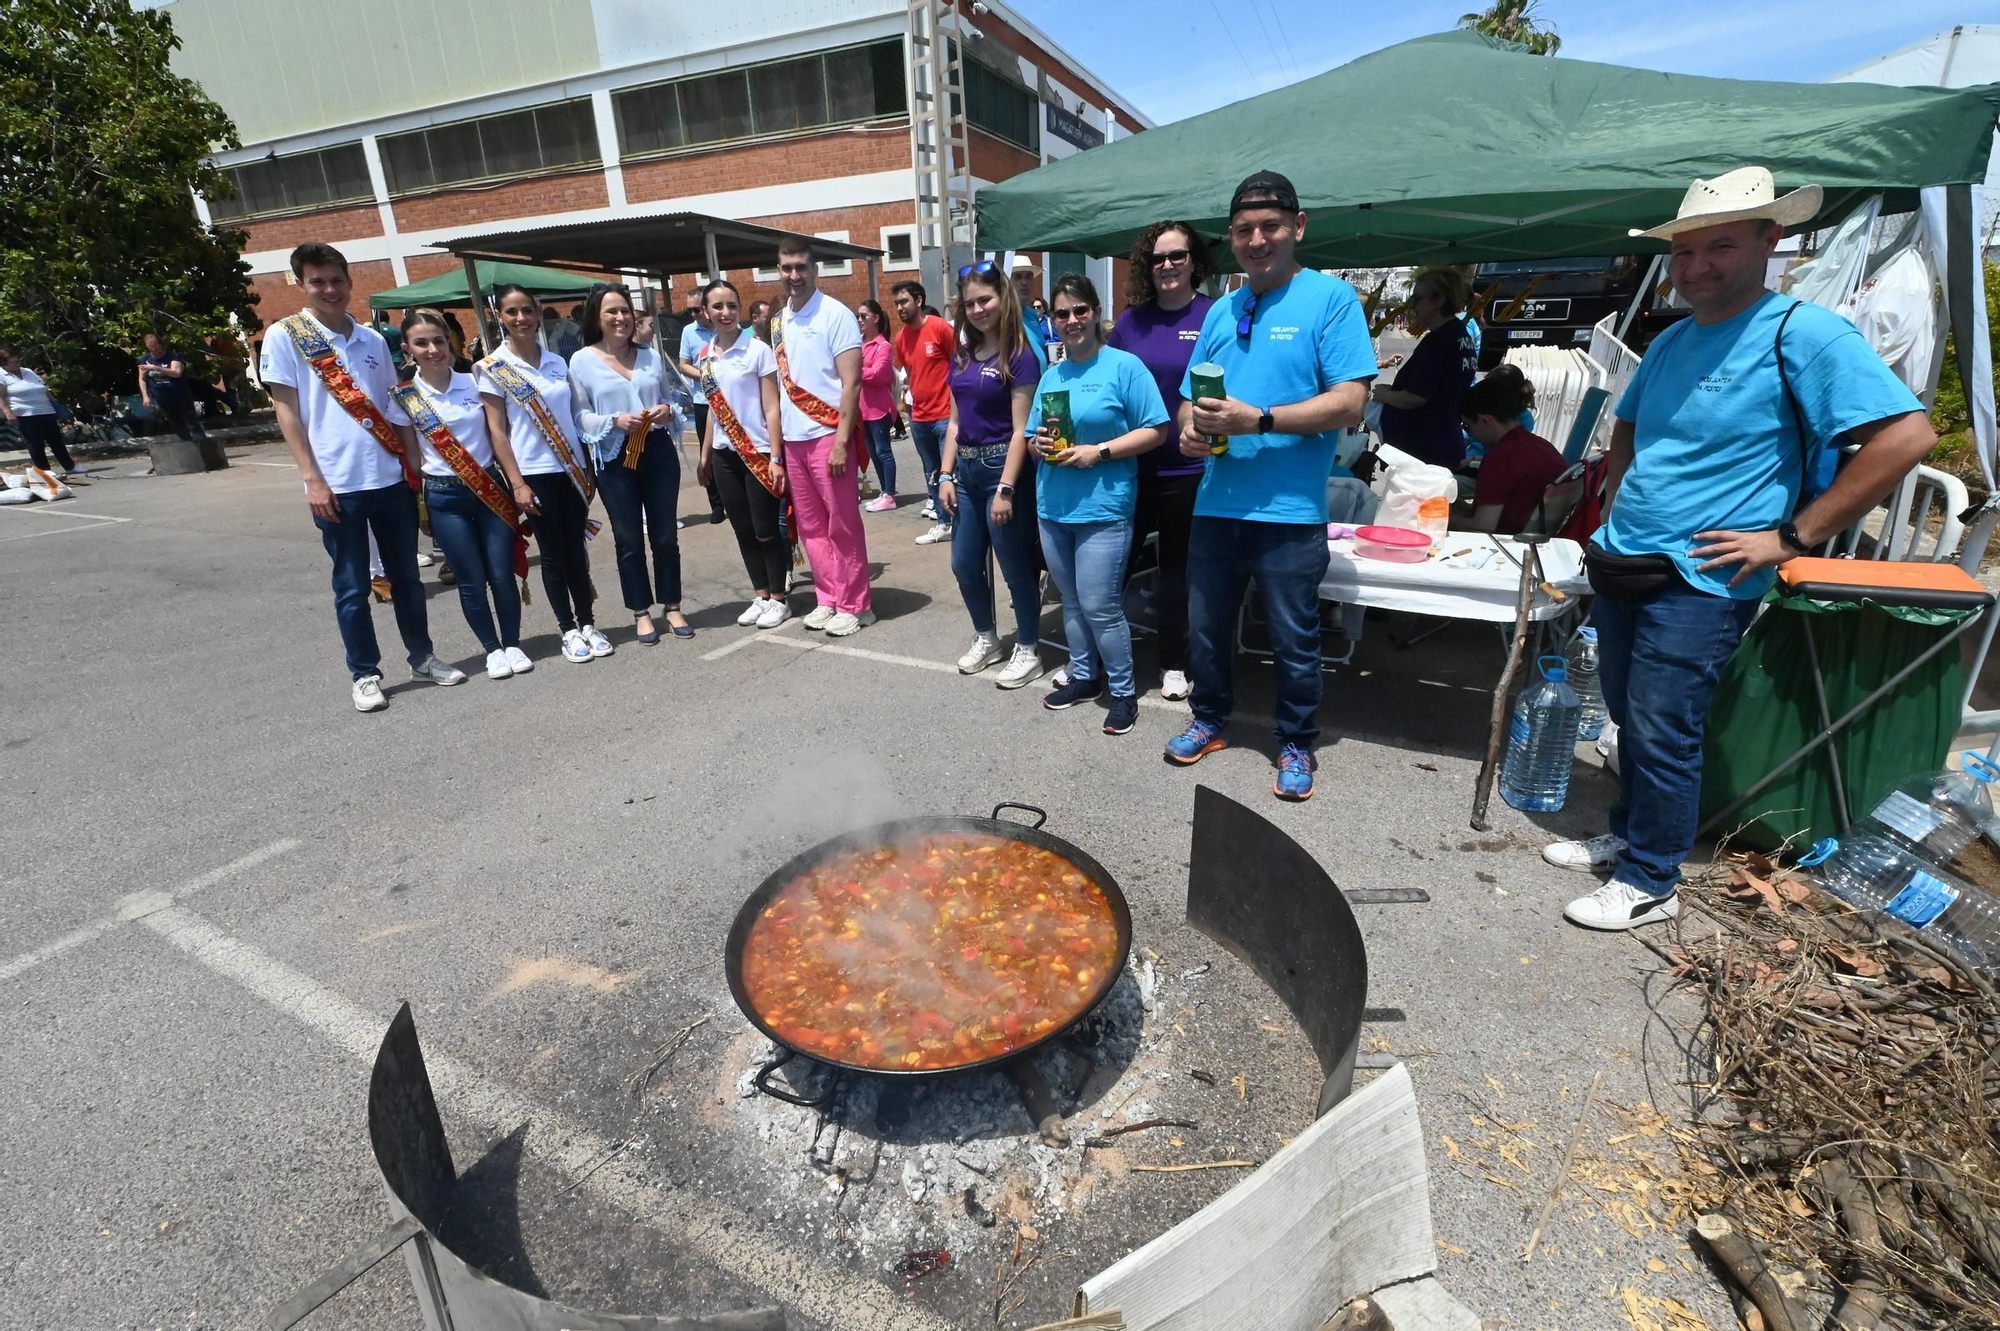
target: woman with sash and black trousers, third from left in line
533 427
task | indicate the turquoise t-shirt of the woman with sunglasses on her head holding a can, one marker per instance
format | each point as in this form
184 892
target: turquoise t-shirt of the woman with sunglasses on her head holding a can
1111 395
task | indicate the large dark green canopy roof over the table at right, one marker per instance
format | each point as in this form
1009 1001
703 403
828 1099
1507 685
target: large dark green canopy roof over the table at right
1465 149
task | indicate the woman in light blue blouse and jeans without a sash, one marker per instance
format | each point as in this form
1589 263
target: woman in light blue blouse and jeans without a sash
623 409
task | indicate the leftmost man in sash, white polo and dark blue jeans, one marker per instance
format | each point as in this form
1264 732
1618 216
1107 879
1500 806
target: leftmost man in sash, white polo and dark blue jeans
331 383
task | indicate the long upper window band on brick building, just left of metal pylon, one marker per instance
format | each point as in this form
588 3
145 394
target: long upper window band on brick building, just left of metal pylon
763 101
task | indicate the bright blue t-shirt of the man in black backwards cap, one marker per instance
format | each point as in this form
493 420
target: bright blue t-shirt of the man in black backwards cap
1305 339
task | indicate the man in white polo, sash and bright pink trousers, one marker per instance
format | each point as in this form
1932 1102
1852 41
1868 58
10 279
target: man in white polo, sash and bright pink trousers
819 347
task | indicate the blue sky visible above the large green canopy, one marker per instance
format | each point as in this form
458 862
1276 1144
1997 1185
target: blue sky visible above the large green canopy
1185 57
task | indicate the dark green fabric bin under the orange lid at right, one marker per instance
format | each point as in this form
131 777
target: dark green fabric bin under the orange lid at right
1765 712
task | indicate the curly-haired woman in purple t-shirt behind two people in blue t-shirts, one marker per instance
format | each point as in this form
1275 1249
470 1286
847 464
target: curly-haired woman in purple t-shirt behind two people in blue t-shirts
1161 321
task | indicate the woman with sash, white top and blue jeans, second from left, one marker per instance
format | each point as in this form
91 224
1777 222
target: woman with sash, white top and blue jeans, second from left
471 515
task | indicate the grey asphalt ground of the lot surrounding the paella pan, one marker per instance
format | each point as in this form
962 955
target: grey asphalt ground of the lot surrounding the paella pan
223 880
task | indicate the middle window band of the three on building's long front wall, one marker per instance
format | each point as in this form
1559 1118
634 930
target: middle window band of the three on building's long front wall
521 143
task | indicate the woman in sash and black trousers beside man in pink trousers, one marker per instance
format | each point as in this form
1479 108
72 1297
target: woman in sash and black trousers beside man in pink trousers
743 451
